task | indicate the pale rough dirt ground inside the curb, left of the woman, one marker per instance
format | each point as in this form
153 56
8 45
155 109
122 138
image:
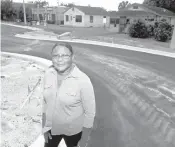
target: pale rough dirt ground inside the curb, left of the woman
21 122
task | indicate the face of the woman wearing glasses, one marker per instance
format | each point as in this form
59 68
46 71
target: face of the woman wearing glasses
62 58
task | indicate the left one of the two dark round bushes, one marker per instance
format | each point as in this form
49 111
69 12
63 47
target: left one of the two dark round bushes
138 30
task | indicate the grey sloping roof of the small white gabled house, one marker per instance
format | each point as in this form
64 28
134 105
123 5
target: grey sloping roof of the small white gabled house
92 10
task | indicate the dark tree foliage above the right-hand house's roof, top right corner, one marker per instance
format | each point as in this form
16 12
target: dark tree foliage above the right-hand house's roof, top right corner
167 4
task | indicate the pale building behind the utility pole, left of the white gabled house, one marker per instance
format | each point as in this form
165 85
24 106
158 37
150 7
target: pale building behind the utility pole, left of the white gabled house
53 14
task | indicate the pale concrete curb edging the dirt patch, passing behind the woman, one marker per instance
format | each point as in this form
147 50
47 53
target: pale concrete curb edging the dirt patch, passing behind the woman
39 142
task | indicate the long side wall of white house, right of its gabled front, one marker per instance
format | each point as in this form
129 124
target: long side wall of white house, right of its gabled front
97 21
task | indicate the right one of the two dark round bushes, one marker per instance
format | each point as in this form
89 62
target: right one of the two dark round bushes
163 31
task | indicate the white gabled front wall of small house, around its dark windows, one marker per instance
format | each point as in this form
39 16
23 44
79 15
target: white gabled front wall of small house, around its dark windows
72 14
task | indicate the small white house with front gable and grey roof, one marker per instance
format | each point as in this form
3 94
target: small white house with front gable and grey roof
86 16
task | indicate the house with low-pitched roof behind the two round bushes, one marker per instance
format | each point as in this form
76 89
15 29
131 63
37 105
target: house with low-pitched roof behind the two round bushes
148 14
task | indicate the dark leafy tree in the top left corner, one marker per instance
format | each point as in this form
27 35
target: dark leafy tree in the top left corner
7 10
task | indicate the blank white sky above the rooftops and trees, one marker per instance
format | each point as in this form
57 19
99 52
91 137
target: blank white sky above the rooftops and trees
107 4
